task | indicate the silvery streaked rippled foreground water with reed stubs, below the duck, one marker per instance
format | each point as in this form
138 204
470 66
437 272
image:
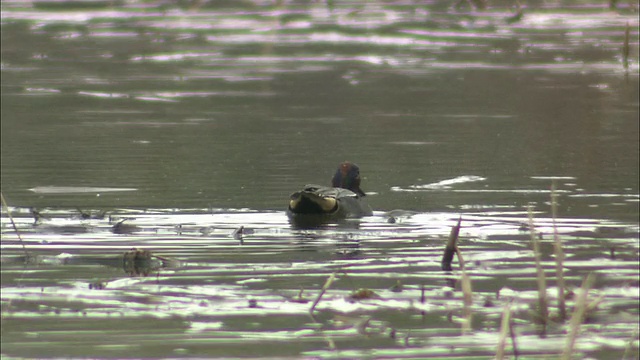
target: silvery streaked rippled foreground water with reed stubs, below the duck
250 295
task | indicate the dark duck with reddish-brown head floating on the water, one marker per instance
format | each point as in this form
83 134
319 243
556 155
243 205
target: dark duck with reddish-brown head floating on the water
343 199
